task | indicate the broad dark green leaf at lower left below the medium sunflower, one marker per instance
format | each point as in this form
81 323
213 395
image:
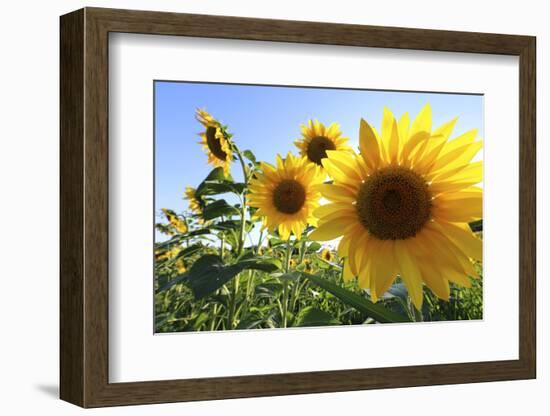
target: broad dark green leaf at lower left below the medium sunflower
209 273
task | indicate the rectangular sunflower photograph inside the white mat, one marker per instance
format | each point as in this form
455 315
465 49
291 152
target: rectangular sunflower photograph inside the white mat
291 206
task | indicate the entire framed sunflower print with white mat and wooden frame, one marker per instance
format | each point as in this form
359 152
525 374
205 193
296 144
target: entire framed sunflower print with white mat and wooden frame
255 207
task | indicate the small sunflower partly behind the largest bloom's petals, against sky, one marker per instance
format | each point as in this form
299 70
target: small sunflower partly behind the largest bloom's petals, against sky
317 139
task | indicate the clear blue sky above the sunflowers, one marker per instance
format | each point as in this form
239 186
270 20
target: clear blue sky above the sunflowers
267 120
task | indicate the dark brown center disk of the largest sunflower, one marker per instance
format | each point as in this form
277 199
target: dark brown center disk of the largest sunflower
394 203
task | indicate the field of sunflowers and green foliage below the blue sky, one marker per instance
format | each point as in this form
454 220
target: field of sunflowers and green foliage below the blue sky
390 232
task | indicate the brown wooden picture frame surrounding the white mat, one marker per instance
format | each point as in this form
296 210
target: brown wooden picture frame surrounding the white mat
84 207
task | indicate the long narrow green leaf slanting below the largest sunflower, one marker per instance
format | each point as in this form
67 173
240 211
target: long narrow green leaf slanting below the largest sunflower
376 311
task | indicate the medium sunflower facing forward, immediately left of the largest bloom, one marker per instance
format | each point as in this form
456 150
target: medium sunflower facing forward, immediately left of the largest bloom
286 195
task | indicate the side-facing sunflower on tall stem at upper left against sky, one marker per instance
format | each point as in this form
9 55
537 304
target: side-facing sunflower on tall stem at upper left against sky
215 141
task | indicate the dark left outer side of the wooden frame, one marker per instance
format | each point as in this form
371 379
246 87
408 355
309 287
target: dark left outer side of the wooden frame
71 208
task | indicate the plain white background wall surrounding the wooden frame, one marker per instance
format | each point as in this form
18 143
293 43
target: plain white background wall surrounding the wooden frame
29 172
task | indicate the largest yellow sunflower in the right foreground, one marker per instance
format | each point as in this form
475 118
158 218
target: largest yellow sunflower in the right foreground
403 206
